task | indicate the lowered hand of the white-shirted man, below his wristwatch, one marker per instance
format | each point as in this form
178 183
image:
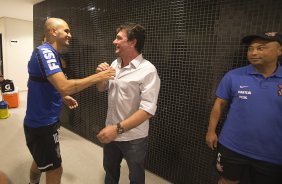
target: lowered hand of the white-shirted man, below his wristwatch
107 134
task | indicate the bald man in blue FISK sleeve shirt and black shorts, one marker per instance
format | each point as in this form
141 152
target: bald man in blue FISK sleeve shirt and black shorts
47 88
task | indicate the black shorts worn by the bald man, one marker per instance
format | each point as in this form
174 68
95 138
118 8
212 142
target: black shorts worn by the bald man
43 144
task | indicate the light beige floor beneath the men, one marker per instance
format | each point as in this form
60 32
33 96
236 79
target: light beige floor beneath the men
82 159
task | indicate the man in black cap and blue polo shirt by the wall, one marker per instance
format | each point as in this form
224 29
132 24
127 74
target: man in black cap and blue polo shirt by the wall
250 142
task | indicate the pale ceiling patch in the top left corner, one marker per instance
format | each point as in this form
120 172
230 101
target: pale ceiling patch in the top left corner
19 9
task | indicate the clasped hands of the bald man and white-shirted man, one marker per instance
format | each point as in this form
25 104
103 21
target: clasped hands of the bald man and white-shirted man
105 71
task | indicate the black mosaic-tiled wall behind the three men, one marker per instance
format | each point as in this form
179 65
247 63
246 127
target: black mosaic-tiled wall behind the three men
191 42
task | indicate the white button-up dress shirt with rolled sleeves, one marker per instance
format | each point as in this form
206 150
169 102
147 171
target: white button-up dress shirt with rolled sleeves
136 86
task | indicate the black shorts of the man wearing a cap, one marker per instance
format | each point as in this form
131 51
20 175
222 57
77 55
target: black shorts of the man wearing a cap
236 167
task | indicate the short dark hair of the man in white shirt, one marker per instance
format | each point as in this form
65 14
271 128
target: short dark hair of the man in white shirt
134 31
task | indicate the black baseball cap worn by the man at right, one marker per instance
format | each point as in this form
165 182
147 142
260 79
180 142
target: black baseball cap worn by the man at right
271 36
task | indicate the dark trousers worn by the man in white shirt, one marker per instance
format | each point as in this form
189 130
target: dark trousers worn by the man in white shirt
134 152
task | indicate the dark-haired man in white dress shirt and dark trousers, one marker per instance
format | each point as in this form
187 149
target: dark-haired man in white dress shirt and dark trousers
132 100
